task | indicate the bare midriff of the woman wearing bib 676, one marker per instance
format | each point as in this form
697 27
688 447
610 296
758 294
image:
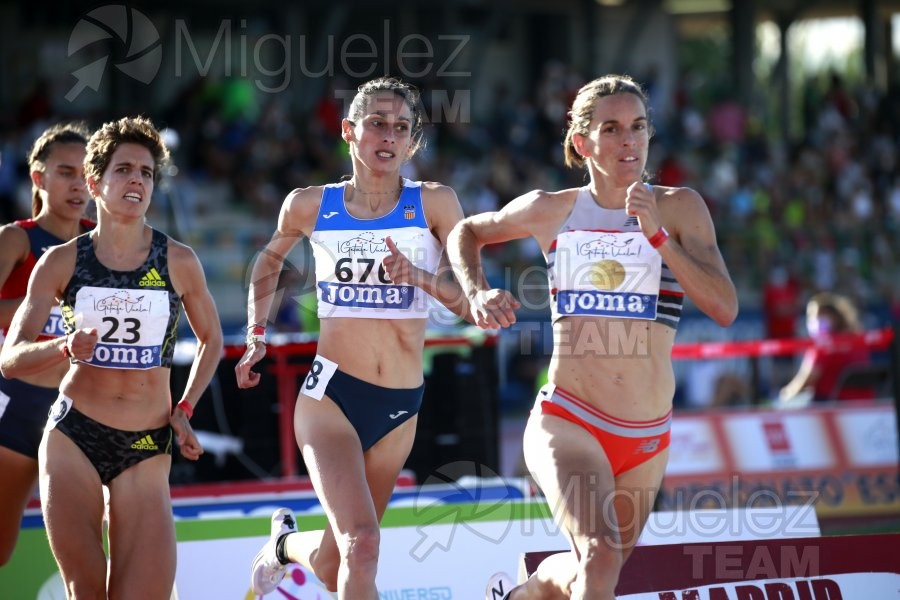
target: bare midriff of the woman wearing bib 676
385 352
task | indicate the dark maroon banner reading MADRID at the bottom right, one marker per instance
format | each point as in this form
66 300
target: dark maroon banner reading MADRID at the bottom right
853 567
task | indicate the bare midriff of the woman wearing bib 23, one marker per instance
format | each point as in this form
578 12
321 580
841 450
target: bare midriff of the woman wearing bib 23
127 399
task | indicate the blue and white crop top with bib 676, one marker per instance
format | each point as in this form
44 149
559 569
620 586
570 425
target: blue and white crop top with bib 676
350 280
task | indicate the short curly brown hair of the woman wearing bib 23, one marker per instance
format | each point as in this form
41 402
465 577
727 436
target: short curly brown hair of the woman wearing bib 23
127 130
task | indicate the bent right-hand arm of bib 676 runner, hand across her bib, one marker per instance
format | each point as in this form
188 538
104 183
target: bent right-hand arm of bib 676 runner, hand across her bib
443 212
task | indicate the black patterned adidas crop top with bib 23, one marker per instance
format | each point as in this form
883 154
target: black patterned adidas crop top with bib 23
135 312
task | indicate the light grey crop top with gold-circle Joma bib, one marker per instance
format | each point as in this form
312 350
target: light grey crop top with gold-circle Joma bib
600 264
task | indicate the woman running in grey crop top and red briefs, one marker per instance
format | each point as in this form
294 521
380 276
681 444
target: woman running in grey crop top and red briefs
620 257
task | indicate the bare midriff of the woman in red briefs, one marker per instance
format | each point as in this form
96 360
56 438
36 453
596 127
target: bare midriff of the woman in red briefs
621 366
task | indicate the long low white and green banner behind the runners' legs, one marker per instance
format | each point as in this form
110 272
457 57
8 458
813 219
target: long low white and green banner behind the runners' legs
435 551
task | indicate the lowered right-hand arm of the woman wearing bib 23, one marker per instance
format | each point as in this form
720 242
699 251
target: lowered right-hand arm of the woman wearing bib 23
200 310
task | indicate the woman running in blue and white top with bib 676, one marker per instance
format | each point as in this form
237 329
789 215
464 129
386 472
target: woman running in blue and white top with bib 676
377 241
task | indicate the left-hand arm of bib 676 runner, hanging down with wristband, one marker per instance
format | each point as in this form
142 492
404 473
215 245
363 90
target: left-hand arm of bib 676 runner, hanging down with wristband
295 221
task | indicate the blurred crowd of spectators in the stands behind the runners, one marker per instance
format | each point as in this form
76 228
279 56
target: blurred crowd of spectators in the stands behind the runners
818 213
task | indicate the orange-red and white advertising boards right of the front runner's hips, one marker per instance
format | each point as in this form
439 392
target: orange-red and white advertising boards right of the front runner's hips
843 460
